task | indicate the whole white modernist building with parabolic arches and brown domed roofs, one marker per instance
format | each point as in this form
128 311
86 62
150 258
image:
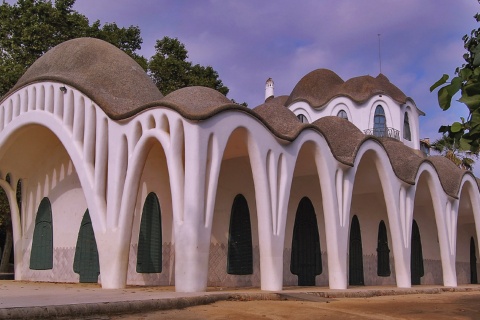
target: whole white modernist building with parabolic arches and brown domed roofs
326 186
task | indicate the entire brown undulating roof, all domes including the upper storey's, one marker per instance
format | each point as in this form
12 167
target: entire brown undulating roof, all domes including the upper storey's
122 89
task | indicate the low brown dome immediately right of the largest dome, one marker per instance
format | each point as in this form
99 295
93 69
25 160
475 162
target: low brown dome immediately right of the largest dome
197 102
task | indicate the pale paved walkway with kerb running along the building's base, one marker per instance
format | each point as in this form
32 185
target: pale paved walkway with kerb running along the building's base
19 300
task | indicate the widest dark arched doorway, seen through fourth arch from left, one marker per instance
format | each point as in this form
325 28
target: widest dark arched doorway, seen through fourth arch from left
306 259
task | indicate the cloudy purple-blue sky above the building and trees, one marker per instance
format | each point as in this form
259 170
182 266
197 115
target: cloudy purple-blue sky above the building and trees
249 41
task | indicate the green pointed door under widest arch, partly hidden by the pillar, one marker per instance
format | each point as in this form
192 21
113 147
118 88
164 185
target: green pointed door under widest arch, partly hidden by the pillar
85 262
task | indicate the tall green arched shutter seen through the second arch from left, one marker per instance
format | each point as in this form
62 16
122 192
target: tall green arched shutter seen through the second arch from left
149 257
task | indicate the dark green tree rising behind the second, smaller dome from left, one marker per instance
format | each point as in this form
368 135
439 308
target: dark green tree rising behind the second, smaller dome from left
170 69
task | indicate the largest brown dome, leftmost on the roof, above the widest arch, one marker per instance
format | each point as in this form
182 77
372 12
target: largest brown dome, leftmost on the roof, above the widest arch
103 72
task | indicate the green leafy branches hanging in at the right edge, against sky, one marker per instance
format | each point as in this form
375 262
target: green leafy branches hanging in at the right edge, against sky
467 82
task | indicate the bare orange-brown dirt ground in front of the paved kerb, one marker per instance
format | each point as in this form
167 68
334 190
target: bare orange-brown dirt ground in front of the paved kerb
450 306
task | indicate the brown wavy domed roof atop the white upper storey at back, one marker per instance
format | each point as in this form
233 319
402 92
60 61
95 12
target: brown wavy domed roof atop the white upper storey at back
320 86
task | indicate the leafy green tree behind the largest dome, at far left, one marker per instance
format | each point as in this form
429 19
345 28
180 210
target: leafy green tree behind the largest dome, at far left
30 28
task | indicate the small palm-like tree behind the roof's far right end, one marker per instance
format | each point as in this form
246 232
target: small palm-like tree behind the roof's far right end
451 149
